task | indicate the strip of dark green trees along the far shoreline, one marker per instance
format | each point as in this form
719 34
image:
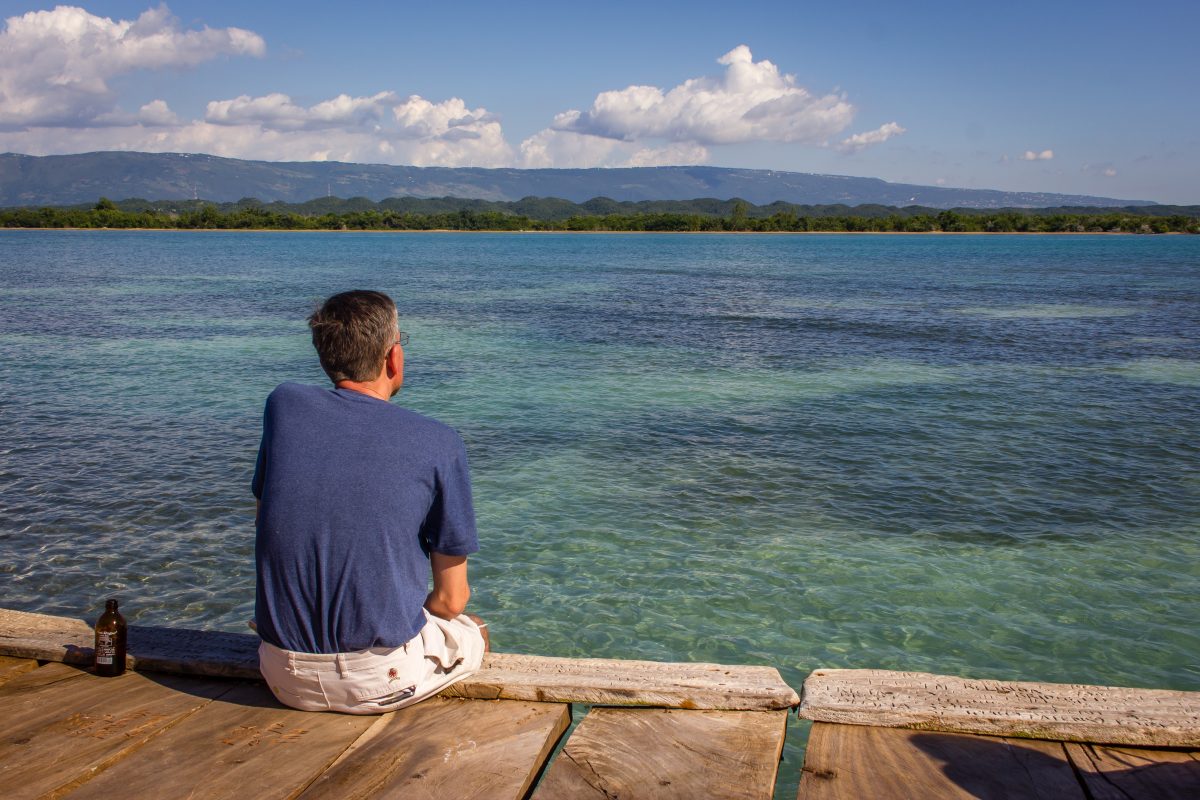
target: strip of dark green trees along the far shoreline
599 214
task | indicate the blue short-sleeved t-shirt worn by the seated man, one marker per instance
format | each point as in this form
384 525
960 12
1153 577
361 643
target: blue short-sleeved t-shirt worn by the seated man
356 494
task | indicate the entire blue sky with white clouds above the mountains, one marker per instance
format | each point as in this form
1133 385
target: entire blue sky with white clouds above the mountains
1078 98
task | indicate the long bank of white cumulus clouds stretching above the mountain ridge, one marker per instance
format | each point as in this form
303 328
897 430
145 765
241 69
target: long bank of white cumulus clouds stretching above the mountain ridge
58 95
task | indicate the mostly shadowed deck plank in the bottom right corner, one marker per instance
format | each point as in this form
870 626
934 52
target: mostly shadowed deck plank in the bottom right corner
1137 774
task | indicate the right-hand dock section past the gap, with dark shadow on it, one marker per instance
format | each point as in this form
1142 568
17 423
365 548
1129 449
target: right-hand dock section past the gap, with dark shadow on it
893 735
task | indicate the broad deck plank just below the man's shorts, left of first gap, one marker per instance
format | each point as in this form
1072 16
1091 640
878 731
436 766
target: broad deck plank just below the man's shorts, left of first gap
448 749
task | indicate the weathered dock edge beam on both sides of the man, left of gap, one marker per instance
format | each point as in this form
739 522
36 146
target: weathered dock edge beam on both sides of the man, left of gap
596 682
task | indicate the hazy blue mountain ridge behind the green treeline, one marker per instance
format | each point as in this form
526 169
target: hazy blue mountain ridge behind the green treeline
83 178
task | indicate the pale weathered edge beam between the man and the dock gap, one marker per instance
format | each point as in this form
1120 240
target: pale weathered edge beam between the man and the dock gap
610 682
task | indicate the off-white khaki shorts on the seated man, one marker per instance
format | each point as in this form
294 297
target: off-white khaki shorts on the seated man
380 679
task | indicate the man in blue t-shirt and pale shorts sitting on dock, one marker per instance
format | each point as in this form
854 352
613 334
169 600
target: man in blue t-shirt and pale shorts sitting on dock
358 502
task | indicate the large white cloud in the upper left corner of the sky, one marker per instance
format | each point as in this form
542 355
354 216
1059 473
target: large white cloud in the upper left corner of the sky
56 65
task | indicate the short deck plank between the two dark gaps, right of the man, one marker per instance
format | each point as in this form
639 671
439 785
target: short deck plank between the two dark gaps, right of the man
664 754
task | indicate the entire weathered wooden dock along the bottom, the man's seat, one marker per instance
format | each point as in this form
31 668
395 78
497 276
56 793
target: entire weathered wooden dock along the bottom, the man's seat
194 719
